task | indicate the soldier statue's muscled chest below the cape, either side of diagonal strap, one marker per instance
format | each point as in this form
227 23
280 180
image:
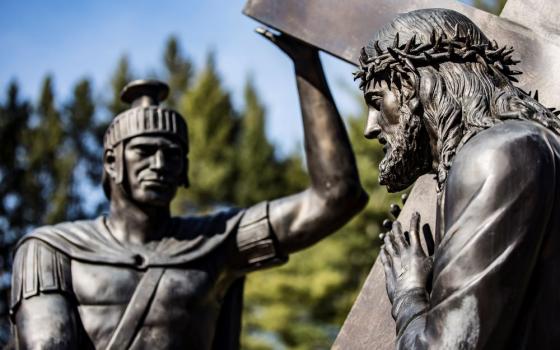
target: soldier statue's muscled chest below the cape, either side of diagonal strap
185 298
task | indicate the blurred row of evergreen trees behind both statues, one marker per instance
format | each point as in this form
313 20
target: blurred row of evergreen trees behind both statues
50 165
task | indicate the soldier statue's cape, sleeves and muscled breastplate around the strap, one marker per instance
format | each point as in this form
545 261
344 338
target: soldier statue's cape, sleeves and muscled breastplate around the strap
199 260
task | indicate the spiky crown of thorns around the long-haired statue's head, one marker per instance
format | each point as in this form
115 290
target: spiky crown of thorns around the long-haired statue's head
396 63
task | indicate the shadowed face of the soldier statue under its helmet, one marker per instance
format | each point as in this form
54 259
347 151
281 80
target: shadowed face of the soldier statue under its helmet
154 169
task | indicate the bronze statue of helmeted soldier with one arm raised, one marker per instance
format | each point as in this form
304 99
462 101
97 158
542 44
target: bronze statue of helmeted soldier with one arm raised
141 279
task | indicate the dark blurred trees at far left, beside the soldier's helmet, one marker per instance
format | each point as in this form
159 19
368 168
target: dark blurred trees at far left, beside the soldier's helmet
44 149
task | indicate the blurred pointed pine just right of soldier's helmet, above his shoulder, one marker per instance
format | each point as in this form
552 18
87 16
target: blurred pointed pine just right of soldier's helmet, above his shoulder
213 124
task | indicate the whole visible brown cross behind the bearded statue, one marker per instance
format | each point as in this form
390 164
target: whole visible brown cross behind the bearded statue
342 28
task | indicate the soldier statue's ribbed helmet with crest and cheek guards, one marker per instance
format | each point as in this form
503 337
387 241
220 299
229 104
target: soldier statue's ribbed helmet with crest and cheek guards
145 117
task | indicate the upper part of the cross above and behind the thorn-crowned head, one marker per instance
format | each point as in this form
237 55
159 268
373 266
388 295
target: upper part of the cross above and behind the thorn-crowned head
341 28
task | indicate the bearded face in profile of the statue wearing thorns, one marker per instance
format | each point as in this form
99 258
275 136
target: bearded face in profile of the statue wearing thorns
399 128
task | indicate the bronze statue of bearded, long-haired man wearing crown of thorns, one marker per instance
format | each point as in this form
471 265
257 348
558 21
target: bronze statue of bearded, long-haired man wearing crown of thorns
442 100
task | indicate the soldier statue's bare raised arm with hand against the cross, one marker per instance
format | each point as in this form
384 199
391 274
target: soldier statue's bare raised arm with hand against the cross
335 194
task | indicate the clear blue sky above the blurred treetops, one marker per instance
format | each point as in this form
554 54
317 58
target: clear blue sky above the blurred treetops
76 39
